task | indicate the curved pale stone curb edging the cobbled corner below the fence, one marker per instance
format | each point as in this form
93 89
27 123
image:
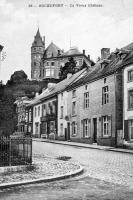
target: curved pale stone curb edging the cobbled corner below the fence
44 180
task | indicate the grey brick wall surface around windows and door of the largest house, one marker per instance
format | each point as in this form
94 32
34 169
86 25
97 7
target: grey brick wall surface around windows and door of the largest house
95 110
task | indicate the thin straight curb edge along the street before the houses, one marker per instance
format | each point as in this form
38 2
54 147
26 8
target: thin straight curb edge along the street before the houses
89 147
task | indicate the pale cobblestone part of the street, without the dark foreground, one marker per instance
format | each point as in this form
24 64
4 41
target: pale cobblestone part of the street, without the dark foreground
109 166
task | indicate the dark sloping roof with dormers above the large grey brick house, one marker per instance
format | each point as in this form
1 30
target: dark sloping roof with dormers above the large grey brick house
98 71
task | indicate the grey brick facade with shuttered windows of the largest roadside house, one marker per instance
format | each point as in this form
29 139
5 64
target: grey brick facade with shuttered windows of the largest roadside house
93 112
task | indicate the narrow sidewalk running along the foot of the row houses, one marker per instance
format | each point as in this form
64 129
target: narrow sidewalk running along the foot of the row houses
83 145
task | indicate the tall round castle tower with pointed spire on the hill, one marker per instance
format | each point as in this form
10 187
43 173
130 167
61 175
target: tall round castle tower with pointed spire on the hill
37 51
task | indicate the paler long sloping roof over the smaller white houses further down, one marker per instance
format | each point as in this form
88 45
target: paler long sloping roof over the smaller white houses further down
59 87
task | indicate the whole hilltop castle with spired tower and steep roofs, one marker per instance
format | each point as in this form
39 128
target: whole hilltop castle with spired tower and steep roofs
46 62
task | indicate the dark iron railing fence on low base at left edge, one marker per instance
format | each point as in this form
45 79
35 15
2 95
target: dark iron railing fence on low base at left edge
15 150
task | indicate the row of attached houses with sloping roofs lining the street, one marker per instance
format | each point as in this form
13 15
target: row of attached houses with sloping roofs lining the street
95 105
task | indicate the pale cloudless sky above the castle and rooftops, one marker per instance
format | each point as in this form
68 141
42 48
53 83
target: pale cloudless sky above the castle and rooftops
89 28
